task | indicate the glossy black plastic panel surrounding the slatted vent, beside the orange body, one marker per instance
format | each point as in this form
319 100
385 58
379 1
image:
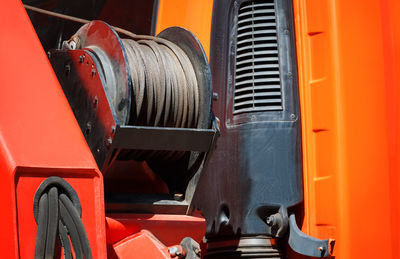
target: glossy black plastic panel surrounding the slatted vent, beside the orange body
256 167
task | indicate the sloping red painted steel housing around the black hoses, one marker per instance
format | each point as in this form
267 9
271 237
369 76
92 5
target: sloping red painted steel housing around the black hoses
39 137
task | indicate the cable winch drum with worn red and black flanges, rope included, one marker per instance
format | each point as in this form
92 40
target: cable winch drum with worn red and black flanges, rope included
161 81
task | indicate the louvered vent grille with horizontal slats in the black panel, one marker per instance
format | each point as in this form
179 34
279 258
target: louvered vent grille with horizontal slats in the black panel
257 78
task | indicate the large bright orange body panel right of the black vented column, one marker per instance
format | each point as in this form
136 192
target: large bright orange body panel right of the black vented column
348 58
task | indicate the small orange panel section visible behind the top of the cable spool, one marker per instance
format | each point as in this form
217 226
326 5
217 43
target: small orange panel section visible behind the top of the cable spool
192 15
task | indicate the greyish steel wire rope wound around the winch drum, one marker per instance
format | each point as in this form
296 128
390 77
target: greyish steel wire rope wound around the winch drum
164 84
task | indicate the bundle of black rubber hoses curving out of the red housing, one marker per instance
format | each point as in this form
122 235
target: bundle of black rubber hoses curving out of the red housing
57 210
